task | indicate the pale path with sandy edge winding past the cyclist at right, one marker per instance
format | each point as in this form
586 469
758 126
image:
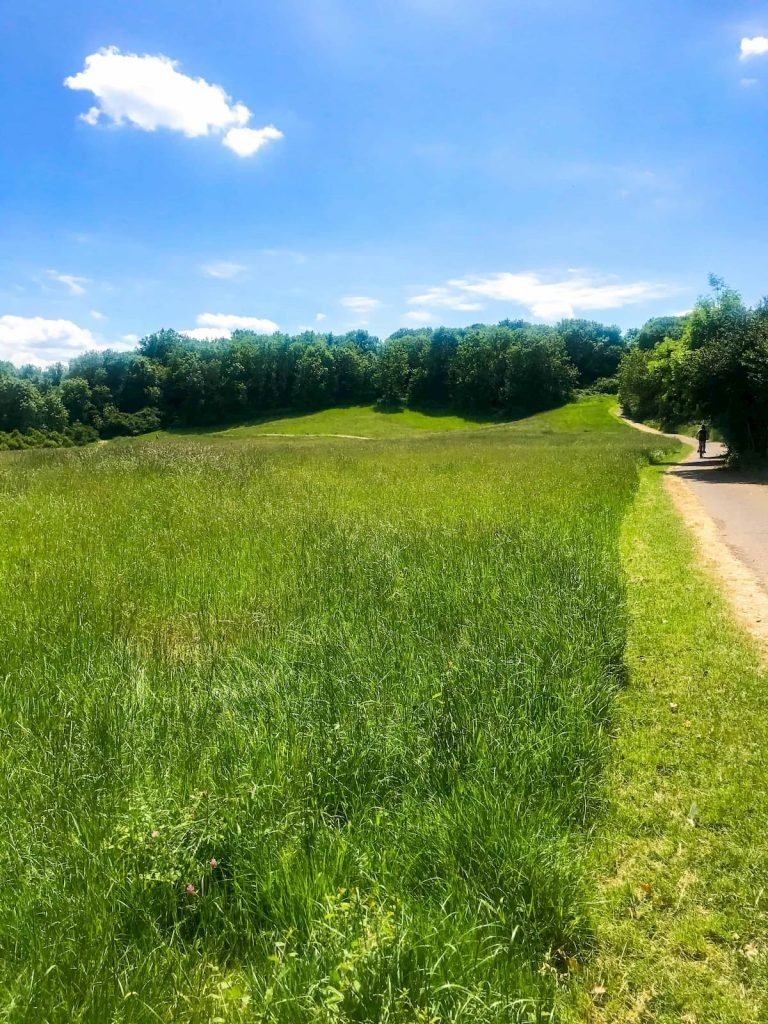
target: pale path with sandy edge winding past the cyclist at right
728 513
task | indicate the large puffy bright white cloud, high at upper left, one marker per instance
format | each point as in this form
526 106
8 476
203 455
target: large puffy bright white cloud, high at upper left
150 93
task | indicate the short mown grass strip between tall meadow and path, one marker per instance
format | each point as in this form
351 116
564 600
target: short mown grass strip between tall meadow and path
682 921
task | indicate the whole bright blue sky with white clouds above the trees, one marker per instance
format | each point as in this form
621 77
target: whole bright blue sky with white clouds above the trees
338 163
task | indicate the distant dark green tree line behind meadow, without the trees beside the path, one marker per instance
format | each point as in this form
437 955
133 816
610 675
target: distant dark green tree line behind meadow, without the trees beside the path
172 380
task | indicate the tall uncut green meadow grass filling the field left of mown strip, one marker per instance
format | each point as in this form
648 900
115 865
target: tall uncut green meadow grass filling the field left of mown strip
306 731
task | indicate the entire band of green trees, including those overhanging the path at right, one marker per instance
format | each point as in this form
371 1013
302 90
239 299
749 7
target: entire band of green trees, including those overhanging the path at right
711 364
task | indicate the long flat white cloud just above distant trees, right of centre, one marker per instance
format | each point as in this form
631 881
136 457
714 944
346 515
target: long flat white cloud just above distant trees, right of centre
553 300
